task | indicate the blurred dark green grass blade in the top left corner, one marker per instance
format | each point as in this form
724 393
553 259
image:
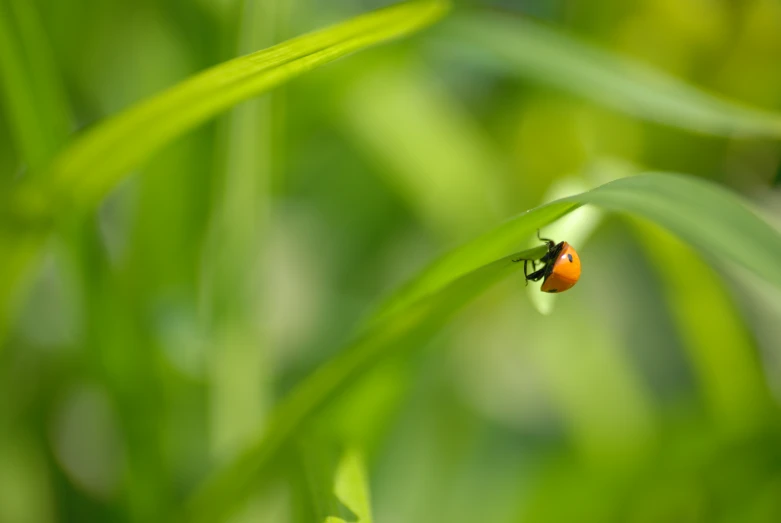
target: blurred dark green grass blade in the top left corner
34 97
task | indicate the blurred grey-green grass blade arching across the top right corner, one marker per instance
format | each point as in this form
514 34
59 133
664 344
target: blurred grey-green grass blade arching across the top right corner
523 48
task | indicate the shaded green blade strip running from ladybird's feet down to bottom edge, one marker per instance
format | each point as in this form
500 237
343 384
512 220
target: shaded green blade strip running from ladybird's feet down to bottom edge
225 491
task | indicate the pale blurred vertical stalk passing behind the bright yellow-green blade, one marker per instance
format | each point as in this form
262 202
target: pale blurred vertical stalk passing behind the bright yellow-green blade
240 369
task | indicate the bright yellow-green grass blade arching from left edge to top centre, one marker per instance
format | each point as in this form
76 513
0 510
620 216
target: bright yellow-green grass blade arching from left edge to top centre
82 174
